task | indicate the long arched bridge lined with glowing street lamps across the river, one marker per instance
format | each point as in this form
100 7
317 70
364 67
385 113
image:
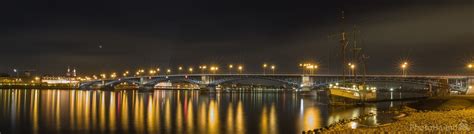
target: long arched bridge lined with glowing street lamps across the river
291 81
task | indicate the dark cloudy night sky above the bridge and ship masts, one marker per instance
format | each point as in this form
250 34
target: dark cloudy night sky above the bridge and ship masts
435 35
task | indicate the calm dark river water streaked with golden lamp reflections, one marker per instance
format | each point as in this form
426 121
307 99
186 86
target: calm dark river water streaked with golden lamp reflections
172 111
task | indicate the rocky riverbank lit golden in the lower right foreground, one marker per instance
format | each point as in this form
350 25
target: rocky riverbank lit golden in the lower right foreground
453 114
